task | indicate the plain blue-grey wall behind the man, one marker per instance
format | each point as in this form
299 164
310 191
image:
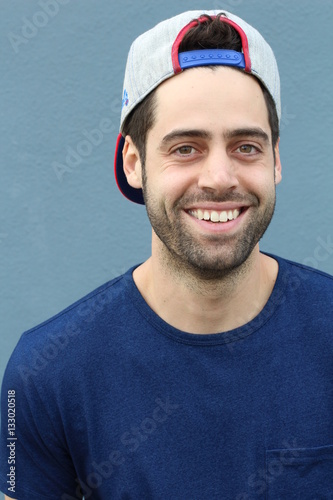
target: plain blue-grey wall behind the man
65 232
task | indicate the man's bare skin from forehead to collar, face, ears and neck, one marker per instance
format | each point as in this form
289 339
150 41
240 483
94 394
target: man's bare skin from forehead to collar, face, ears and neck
209 188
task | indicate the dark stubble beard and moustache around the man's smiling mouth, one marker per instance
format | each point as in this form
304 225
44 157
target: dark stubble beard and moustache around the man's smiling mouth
216 256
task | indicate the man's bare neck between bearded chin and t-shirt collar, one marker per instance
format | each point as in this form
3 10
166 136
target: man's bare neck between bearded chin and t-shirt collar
197 302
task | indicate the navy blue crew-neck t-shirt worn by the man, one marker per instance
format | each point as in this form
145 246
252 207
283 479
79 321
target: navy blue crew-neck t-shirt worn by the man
110 397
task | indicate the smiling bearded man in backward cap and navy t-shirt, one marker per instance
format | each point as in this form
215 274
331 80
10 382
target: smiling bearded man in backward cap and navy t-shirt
206 372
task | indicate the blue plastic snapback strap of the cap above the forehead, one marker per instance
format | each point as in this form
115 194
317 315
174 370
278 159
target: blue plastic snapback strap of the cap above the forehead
210 57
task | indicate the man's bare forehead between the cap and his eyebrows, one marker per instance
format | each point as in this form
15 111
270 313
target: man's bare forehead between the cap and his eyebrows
211 97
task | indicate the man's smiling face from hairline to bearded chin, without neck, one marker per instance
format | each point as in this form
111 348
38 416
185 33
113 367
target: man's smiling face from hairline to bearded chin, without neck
209 177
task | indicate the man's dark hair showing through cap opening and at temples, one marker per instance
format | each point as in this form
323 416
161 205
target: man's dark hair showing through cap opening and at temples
212 33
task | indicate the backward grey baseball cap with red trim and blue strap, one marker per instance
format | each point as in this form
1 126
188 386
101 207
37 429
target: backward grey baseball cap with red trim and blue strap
154 57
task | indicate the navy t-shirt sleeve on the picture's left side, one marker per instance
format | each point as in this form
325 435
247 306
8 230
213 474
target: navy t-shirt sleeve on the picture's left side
34 458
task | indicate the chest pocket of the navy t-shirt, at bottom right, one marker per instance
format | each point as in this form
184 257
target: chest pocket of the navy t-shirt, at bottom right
300 474
